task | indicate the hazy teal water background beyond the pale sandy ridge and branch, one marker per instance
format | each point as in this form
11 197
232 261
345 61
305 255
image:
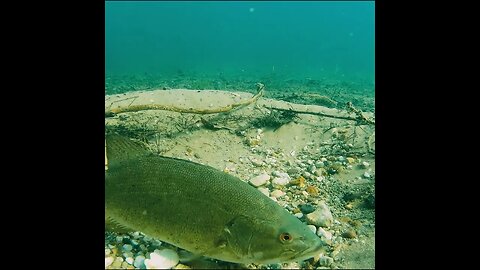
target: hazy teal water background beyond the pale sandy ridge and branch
317 46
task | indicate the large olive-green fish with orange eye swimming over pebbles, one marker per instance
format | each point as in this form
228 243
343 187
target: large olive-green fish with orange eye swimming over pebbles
200 209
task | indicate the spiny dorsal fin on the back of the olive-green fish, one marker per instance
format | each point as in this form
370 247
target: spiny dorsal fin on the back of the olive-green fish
120 148
